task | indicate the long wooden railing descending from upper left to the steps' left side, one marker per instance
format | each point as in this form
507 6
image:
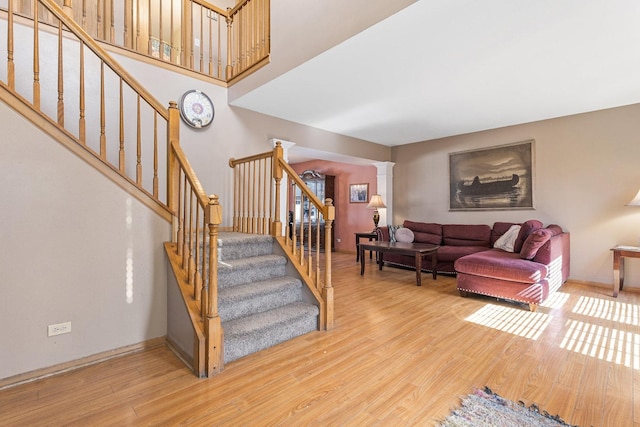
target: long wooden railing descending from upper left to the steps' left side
114 124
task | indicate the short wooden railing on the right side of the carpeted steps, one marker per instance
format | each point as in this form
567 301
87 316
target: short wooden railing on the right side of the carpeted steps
257 208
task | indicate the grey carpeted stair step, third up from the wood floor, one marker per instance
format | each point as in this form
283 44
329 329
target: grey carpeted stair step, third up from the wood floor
248 270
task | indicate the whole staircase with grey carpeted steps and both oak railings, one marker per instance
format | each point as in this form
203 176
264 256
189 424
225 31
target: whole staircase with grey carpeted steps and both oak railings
225 302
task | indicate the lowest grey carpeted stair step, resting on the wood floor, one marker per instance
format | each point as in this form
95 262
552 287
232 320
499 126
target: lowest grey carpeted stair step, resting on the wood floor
250 334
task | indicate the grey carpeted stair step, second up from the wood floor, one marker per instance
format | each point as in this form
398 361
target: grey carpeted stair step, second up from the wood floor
250 298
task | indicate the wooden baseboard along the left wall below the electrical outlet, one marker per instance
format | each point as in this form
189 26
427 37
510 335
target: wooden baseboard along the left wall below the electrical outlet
79 363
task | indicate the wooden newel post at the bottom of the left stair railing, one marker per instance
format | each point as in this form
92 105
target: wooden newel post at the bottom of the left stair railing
213 326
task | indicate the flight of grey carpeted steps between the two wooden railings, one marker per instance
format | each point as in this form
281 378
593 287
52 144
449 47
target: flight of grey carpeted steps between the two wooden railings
259 304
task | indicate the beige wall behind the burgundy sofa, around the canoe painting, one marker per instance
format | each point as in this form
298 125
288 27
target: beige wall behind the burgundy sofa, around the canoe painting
586 170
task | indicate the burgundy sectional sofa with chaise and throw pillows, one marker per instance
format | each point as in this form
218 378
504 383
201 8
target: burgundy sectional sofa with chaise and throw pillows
538 265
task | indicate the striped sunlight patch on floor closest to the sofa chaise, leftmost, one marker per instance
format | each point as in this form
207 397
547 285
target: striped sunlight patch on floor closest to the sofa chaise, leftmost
515 321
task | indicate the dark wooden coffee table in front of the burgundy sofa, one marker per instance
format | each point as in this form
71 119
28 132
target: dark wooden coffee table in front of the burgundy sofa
418 250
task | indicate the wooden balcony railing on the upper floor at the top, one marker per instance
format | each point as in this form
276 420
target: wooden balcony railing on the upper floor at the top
192 34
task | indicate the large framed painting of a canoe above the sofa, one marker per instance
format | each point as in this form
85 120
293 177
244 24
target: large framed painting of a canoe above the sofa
492 178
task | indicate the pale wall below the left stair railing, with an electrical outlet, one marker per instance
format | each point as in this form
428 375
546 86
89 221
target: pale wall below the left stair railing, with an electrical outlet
76 248
